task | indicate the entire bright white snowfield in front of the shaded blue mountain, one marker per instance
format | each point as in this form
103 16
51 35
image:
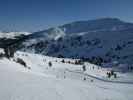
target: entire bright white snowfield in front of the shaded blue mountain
61 81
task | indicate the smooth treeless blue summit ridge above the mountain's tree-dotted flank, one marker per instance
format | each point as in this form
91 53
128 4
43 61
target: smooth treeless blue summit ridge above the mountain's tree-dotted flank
94 25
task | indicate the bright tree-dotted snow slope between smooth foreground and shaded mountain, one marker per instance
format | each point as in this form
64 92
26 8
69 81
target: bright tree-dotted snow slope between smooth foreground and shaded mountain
40 63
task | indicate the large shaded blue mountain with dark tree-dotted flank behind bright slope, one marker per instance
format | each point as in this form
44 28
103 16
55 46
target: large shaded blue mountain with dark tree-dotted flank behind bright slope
109 39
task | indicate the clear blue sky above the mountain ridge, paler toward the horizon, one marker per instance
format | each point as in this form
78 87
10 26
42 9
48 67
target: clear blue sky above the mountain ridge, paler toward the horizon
34 15
